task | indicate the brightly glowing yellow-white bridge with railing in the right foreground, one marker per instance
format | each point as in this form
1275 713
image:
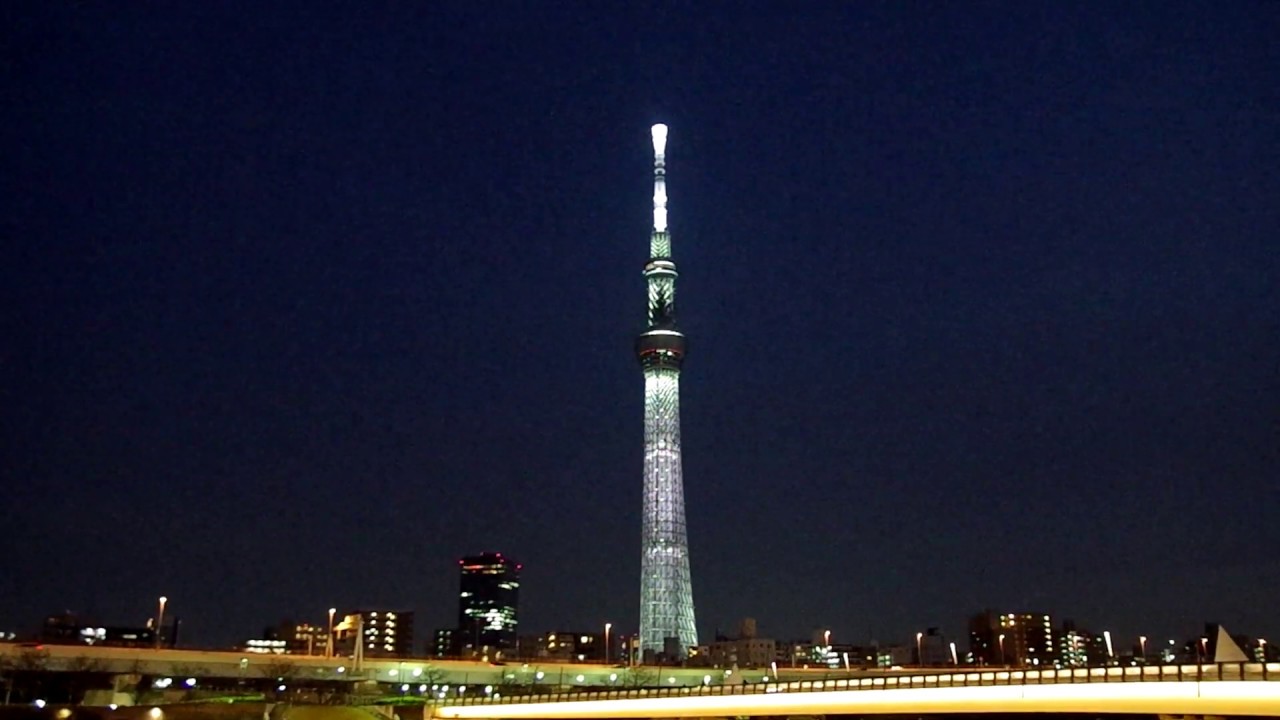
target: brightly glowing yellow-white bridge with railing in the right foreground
1223 690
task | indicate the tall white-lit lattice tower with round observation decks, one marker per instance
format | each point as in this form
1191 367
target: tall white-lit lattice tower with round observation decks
666 591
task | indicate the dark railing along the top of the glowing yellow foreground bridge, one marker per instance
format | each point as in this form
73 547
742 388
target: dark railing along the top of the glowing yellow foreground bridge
1218 672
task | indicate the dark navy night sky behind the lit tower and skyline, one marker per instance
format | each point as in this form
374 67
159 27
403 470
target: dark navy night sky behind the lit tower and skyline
304 302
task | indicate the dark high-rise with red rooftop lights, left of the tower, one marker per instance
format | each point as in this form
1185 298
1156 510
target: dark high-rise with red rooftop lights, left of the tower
488 603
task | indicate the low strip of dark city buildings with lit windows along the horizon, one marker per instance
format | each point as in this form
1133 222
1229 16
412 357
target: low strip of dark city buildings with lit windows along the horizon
496 578
